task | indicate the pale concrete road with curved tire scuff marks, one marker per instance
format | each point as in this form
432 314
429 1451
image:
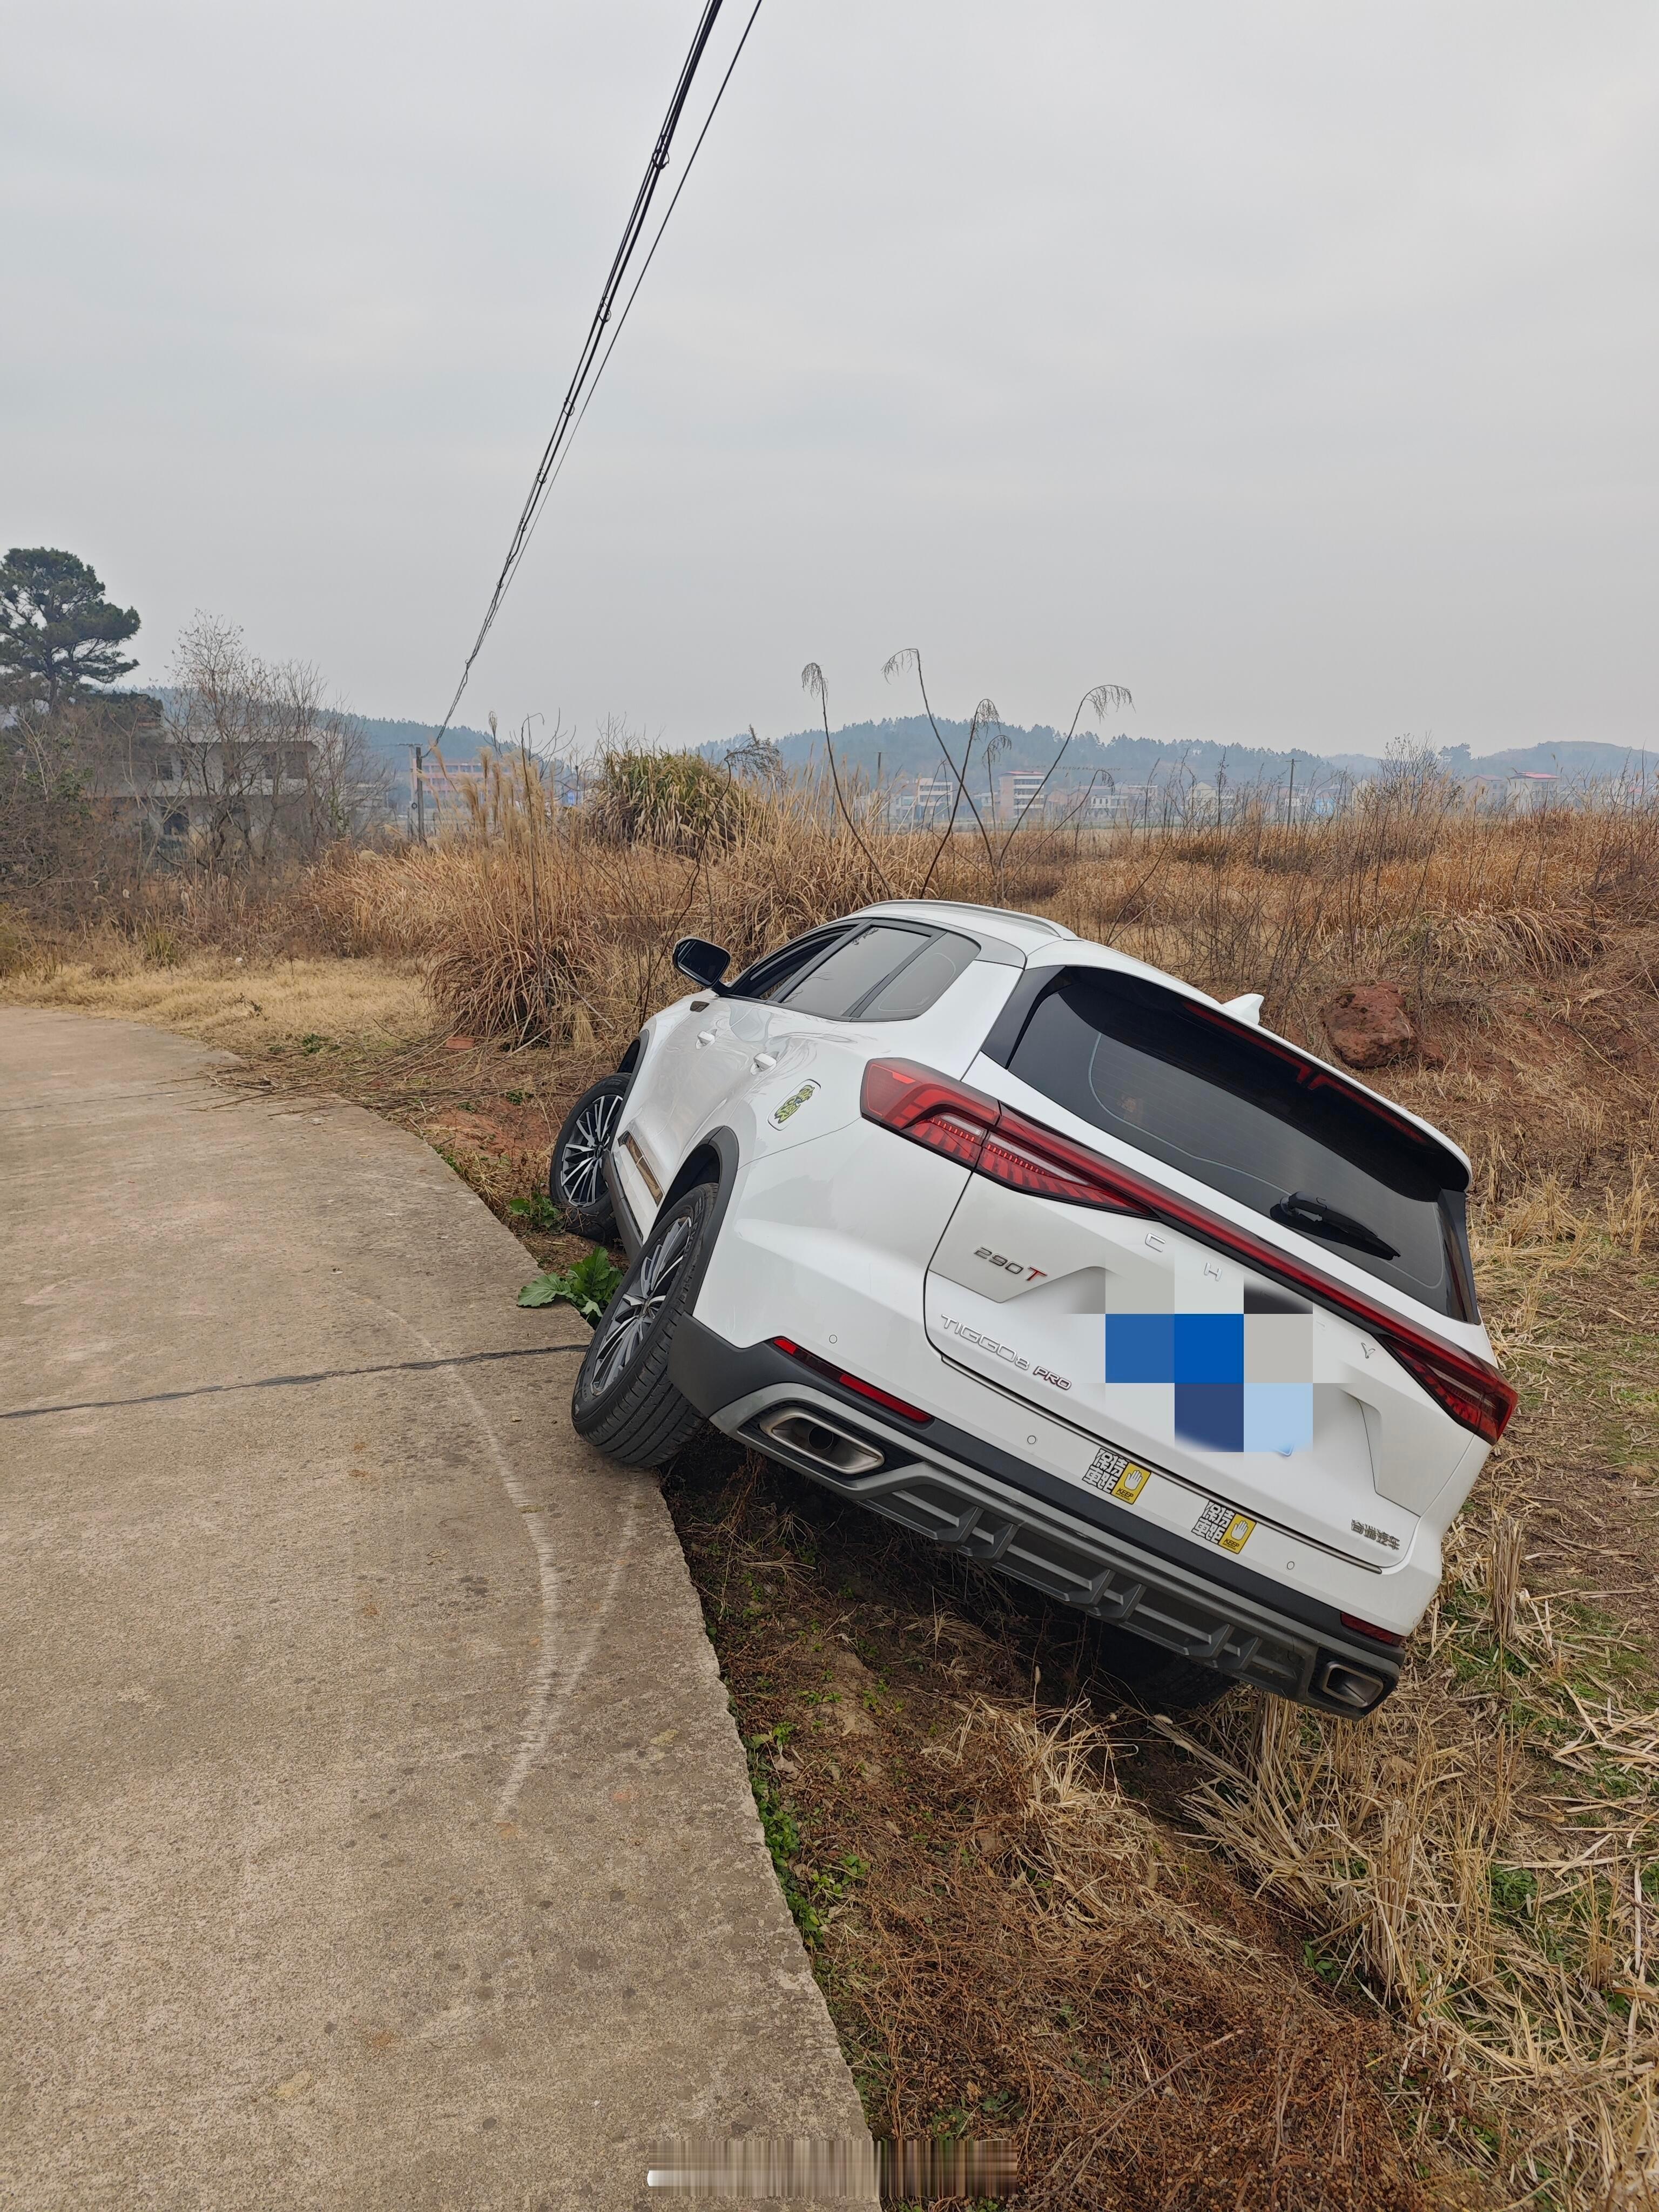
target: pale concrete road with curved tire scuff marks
375 1824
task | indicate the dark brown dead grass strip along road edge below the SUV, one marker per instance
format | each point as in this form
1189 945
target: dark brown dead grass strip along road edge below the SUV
1010 1941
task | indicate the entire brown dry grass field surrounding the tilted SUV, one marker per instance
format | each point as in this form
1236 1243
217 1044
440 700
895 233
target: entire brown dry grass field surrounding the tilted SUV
1251 1961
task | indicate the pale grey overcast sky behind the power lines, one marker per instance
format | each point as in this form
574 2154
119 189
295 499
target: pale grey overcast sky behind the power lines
1288 364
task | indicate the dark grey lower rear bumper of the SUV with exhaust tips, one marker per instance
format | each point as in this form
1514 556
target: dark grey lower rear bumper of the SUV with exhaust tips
963 1496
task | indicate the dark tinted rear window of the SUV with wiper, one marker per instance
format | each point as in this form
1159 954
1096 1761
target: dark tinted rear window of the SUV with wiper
1251 1118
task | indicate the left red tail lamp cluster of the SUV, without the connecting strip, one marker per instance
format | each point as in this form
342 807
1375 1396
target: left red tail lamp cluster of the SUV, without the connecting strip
990 1138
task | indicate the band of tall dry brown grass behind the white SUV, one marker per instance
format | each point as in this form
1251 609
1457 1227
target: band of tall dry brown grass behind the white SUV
539 924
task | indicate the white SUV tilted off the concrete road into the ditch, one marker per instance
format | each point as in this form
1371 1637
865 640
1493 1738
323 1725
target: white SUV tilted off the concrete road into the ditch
1058 1262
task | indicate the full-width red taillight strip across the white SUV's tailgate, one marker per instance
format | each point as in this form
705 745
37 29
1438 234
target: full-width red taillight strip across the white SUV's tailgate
1019 1154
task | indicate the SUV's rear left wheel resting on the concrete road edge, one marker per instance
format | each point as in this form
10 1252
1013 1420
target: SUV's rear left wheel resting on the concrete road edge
623 1397
